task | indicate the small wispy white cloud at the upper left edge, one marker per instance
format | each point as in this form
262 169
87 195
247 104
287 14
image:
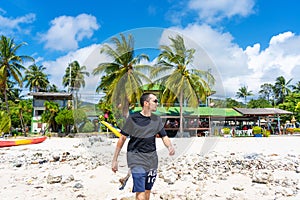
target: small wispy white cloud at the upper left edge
14 25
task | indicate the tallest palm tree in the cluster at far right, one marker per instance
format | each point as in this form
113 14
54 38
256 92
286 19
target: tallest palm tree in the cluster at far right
281 88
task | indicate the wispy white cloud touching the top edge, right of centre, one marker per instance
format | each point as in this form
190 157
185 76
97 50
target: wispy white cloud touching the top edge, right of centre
211 11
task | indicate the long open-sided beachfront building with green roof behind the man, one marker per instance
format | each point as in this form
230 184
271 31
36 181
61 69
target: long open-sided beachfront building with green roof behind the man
209 121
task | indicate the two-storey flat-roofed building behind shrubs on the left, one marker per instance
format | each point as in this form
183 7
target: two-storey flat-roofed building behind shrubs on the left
39 98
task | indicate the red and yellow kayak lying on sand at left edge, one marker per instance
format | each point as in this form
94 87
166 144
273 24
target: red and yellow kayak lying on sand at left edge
23 141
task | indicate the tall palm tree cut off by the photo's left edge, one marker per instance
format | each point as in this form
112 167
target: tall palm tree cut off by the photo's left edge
10 64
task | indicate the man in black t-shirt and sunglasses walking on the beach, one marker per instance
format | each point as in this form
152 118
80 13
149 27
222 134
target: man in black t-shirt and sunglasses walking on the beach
142 158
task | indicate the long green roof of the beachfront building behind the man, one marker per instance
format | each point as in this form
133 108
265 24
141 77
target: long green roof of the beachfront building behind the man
200 111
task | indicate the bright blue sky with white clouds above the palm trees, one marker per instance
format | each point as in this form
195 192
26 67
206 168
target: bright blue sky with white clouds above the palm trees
248 42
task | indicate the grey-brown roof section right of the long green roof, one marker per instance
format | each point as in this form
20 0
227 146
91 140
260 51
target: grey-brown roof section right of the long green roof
261 111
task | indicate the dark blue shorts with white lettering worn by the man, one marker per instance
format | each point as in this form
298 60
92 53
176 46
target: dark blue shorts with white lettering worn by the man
143 180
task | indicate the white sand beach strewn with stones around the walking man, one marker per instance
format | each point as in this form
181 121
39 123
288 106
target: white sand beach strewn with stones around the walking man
203 168
